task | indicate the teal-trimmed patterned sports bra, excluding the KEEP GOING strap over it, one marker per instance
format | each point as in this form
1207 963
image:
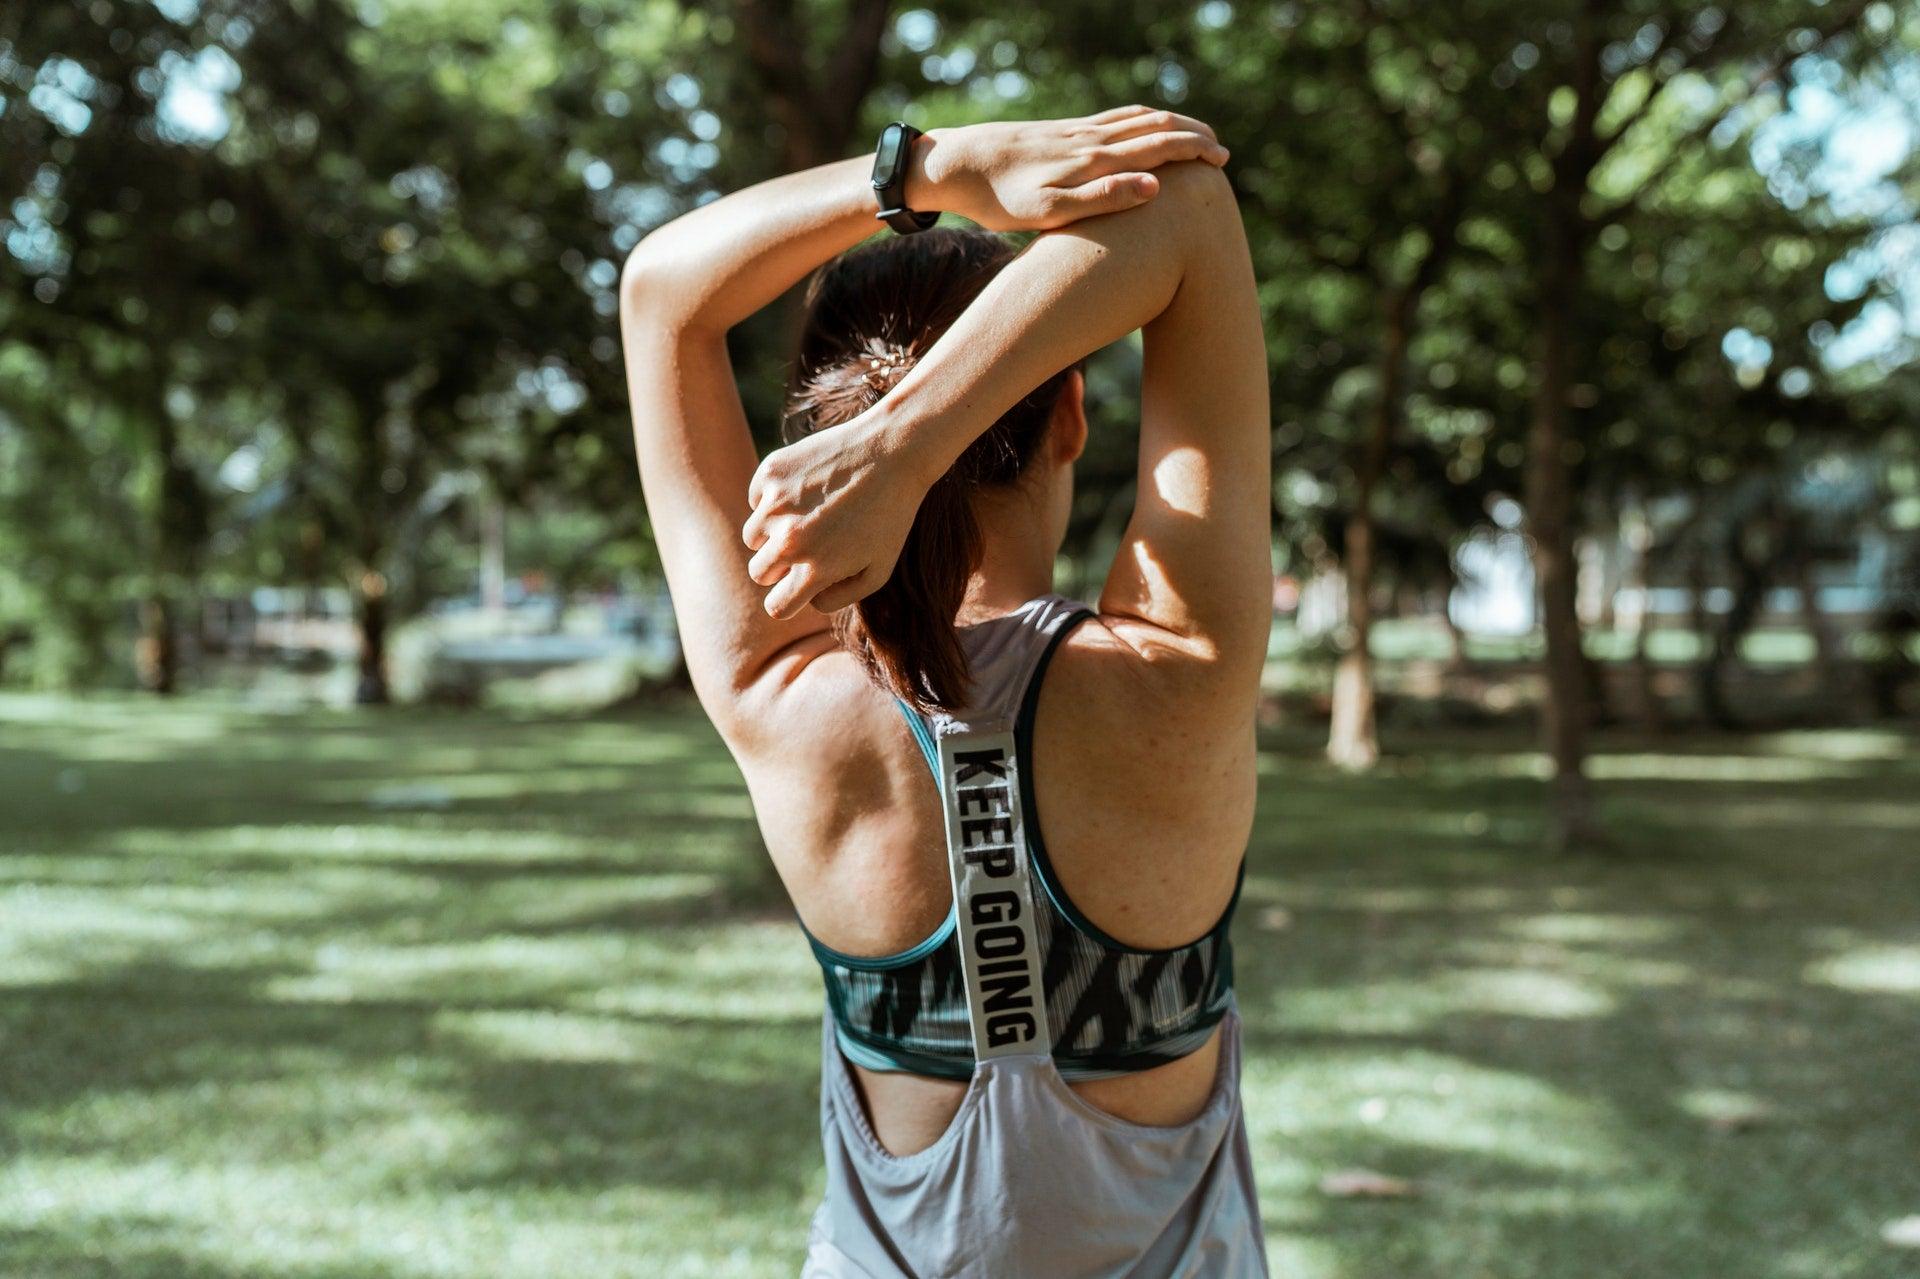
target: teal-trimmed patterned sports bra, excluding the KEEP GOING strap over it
1109 1009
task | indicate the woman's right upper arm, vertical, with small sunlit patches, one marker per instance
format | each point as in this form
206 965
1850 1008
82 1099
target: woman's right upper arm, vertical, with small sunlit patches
1195 566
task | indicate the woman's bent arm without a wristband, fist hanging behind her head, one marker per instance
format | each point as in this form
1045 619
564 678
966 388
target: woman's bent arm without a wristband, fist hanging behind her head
1193 571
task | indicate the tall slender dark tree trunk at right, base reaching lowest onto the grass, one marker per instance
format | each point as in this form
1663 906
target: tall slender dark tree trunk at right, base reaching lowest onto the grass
1548 516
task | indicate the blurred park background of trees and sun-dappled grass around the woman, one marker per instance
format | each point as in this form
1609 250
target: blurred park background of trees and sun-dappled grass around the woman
375 900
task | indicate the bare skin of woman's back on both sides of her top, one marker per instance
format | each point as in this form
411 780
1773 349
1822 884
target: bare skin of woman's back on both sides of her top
1145 796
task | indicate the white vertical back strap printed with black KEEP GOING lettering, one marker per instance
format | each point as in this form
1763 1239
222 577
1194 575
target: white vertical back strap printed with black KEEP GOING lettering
994 890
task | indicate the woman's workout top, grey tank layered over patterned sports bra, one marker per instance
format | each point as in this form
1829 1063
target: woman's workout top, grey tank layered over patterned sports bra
1030 1180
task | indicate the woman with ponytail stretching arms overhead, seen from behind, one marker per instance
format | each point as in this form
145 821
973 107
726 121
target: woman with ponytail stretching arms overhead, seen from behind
1030 1053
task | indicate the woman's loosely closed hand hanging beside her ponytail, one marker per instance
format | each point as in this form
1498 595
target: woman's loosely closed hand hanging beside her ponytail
830 516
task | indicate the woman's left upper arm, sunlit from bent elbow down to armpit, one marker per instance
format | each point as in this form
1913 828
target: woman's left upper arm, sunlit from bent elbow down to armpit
696 460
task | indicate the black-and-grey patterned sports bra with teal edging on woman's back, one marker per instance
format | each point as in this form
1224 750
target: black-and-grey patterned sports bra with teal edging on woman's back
1109 1009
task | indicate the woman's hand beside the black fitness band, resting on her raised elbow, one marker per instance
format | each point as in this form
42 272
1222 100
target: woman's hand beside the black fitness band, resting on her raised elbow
1044 174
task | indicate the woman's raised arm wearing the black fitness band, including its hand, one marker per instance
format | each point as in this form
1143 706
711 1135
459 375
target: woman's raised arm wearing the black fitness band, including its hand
700 276
